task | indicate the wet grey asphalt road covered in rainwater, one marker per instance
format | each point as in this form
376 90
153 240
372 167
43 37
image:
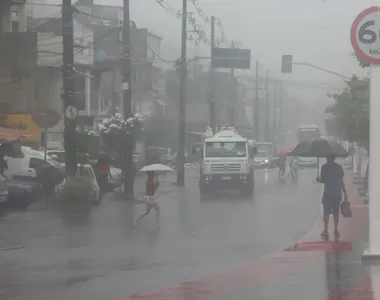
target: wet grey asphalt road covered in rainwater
43 256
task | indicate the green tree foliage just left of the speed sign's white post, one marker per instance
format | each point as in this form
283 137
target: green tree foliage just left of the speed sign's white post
349 114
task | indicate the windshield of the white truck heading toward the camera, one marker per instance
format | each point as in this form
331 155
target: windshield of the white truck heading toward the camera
225 149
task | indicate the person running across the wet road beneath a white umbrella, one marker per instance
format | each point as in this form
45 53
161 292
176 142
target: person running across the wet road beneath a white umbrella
150 199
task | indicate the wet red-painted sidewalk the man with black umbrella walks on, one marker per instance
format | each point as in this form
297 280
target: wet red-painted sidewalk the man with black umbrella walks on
311 269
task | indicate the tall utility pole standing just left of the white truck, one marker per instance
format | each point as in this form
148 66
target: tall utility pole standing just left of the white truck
182 101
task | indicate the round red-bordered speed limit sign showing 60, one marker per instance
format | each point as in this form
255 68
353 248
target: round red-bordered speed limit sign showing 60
365 35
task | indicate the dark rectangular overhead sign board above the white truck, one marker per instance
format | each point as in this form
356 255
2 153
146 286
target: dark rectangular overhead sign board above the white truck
231 58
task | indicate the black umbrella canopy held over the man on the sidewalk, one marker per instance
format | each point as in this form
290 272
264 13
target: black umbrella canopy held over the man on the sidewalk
320 147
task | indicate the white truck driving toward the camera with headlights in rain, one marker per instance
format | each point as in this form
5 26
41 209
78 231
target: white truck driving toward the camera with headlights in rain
227 163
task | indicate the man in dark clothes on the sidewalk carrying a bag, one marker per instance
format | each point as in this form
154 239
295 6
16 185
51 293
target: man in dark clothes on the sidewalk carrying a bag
332 177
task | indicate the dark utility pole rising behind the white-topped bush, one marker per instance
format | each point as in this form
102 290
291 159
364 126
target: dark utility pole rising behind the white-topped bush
127 101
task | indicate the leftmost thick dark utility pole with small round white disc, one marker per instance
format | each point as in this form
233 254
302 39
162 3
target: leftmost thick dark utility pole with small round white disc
69 103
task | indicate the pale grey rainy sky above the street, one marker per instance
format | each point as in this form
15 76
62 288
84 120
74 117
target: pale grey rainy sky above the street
314 31
